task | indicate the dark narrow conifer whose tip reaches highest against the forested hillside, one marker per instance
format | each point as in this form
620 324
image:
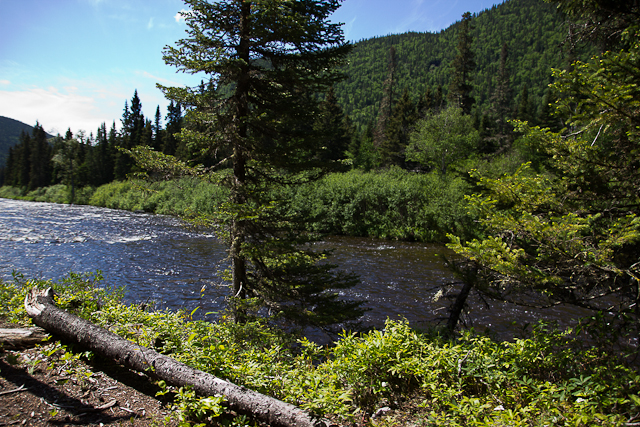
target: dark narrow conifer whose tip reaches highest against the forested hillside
463 66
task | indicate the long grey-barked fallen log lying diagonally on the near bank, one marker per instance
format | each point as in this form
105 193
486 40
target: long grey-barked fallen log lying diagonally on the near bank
40 306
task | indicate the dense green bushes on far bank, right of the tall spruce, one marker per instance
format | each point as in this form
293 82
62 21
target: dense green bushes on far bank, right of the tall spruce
392 204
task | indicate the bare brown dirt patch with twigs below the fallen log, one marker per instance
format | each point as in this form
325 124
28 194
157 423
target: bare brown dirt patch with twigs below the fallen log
38 388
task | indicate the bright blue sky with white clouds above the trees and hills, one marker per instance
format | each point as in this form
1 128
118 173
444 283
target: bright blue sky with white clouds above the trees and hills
73 63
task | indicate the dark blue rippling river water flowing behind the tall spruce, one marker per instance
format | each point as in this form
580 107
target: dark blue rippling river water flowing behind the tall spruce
158 259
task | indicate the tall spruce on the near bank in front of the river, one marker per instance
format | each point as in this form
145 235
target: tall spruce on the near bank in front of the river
267 61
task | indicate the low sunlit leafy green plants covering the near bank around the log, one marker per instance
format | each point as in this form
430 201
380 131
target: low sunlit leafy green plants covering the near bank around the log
394 376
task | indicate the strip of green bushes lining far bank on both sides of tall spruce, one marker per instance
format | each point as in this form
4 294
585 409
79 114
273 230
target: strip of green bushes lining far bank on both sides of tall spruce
392 204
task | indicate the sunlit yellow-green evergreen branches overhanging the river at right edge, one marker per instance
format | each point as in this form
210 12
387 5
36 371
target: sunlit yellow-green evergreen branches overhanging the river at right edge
566 228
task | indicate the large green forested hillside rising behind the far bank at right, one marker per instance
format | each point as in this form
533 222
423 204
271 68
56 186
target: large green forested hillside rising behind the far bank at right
532 29
